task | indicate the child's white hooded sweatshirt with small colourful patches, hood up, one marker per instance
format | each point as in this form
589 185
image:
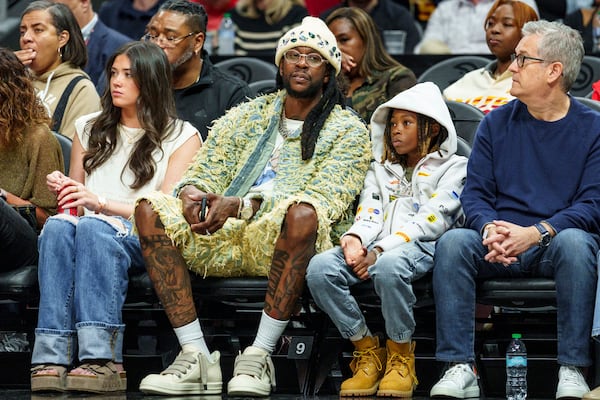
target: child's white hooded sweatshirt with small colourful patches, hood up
386 216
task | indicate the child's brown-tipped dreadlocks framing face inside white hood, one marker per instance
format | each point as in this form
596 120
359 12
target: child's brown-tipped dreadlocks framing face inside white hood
427 143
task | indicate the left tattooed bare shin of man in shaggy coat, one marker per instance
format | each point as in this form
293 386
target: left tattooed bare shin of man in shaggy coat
166 267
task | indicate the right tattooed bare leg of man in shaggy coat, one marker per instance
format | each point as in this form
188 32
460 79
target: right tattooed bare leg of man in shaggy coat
293 250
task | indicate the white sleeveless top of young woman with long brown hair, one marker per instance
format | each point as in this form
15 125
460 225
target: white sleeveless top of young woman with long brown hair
113 179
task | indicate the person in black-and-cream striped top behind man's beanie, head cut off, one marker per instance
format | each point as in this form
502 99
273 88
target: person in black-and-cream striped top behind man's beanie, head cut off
260 23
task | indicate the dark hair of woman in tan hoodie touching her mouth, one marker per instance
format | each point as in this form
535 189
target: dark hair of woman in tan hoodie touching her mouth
63 19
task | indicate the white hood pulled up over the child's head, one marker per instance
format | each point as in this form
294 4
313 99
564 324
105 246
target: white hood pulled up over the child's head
423 98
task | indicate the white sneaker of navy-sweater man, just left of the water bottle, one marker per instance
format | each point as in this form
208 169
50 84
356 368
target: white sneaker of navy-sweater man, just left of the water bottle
459 381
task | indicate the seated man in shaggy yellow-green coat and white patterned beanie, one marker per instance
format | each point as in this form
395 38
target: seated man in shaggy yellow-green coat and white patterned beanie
278 175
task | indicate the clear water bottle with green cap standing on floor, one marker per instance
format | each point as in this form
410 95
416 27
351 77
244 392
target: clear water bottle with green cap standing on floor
516 369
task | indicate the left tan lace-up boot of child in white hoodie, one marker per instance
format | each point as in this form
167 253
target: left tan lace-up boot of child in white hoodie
366 366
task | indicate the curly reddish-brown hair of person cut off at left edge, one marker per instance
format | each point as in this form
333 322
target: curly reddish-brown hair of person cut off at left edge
21 108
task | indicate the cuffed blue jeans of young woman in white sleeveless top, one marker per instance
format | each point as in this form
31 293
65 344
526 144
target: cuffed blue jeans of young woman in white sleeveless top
83 276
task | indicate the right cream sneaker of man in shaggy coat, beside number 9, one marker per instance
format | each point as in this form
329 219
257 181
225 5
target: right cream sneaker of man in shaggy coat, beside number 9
253 374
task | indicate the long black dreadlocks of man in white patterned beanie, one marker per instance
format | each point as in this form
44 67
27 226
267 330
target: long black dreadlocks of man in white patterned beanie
316 117
